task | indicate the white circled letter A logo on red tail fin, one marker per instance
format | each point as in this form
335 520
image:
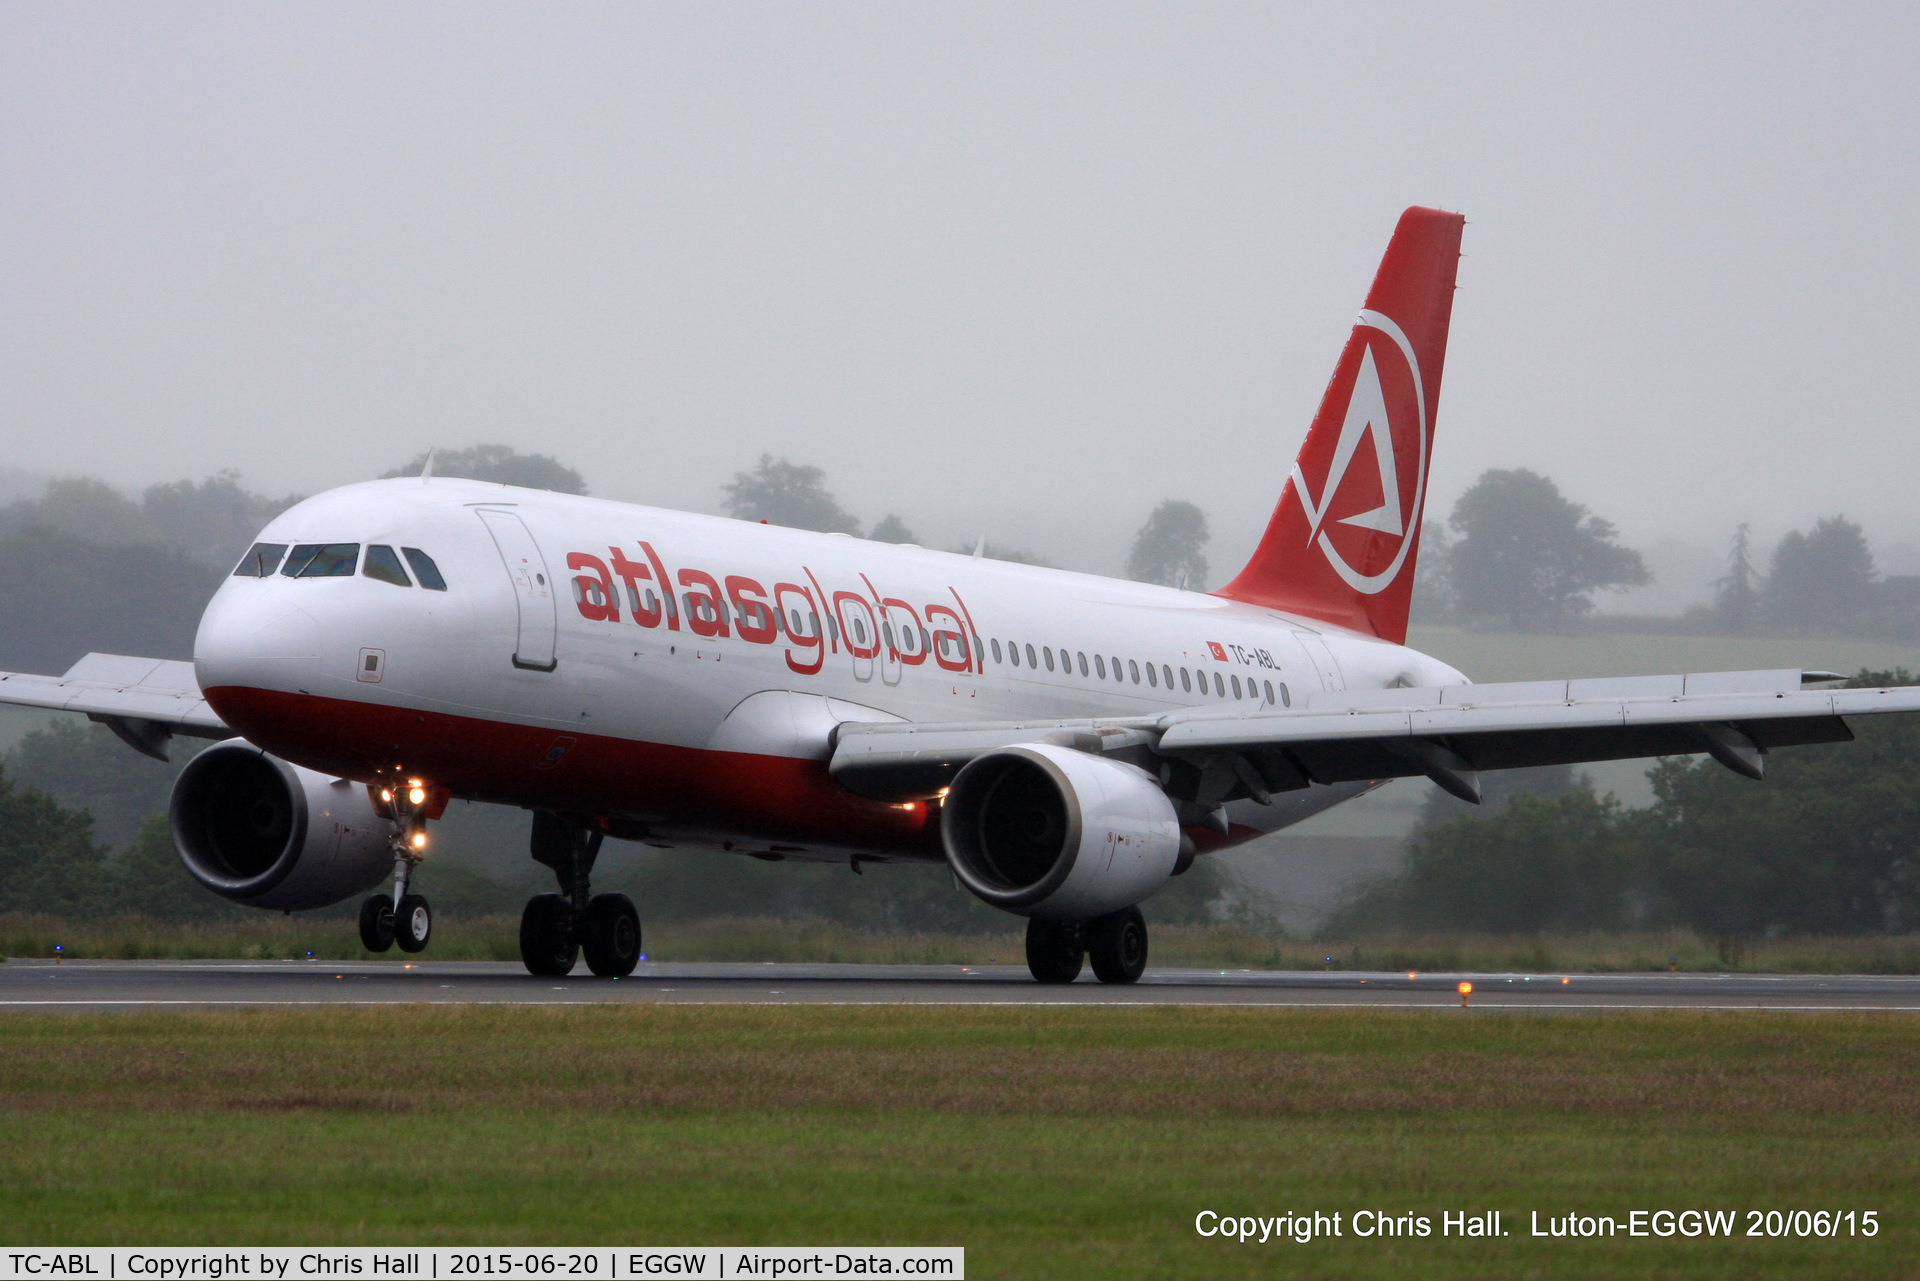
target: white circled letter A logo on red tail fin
1389 523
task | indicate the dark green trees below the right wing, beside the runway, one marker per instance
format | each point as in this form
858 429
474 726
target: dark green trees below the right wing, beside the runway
1825 846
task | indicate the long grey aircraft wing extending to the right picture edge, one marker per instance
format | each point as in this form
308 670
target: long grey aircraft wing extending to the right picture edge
1449 735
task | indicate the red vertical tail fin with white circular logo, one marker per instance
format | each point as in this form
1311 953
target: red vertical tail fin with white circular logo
1343 541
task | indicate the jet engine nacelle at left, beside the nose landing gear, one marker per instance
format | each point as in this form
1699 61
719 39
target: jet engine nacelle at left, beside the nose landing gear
270 834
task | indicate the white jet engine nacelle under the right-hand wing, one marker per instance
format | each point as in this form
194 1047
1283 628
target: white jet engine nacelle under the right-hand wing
1057 833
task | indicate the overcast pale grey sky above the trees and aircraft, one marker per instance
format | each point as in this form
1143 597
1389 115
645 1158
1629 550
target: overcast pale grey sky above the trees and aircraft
1001 270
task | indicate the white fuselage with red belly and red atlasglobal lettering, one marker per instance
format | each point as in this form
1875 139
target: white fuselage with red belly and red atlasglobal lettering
554 671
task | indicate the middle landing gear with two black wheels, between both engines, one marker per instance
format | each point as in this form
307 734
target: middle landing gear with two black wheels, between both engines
558 929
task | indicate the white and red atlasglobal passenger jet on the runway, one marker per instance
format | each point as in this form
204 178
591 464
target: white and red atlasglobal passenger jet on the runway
1065 744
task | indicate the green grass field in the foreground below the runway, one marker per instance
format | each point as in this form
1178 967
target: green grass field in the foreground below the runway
1047 1142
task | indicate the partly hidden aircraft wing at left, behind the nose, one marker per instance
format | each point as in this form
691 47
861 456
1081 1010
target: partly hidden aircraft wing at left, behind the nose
147 702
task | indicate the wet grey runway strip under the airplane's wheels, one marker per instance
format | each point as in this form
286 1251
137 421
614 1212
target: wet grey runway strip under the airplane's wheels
93 986
